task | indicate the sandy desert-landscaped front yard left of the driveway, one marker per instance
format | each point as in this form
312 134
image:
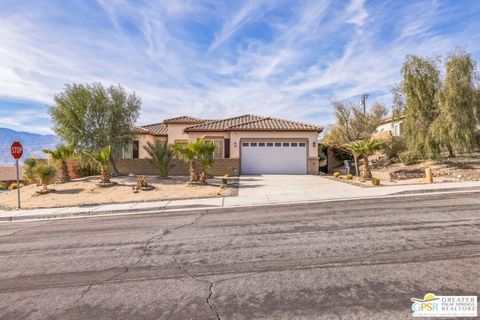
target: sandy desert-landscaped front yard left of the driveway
86 192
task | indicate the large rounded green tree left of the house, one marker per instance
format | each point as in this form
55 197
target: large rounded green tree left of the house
91 117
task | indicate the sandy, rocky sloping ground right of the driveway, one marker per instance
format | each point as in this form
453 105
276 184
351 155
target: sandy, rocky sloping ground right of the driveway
461 168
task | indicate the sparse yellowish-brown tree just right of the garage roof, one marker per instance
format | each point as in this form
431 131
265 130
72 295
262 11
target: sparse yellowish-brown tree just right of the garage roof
352 123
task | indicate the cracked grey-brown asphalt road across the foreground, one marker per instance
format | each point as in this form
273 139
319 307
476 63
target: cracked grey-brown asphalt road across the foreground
337 260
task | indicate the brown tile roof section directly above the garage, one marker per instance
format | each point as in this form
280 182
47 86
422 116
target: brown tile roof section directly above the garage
253 123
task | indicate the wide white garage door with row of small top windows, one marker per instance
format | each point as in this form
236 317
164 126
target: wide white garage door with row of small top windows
273 157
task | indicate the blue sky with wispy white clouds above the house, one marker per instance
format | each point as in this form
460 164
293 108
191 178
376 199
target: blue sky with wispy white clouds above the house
215 59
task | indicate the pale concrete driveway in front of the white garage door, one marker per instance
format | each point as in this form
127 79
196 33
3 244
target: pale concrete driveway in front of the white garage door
301 187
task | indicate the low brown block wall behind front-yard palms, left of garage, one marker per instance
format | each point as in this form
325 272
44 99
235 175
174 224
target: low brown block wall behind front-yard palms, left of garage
144 167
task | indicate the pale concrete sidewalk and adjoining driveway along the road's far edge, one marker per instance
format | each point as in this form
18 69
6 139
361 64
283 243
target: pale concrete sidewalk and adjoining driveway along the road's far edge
254 191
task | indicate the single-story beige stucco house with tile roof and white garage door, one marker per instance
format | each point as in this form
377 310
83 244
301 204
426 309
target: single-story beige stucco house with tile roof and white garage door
249 144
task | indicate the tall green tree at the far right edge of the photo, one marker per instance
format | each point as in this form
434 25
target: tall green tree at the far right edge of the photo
456 124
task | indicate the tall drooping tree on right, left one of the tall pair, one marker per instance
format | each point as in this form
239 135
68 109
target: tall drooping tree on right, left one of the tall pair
420 86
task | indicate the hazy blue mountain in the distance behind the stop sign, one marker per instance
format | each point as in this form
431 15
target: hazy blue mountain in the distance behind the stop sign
32 144
